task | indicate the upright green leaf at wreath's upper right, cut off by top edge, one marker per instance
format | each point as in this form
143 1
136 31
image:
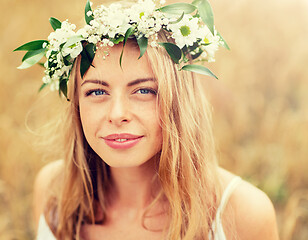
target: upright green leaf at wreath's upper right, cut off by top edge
206 13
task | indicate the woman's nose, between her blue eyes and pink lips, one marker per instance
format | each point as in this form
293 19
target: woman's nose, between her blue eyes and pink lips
119 112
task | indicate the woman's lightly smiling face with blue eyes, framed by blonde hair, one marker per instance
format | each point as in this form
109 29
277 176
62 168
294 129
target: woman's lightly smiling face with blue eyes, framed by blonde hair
118 108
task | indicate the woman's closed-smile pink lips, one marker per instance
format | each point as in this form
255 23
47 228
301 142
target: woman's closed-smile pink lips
130 140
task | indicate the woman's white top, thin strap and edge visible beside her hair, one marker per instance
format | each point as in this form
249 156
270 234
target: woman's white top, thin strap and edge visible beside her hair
44 233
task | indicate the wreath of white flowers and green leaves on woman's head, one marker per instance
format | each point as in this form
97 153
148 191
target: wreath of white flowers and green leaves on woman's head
190 25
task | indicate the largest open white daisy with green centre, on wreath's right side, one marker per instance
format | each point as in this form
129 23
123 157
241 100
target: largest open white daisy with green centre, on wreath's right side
185 32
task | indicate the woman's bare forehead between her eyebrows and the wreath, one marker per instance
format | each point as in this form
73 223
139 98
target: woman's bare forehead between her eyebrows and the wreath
107 64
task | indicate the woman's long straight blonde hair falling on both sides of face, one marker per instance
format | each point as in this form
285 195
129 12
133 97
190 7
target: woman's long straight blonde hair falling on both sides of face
187 168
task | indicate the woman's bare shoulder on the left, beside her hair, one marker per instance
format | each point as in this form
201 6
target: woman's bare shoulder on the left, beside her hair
42 184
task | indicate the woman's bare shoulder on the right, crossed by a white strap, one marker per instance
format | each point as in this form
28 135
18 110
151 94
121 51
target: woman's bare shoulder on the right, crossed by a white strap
253 211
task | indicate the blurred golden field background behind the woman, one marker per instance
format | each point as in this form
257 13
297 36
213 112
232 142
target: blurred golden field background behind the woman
260 104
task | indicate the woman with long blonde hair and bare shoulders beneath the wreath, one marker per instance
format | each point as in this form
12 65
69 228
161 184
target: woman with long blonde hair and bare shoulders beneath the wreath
139 159
